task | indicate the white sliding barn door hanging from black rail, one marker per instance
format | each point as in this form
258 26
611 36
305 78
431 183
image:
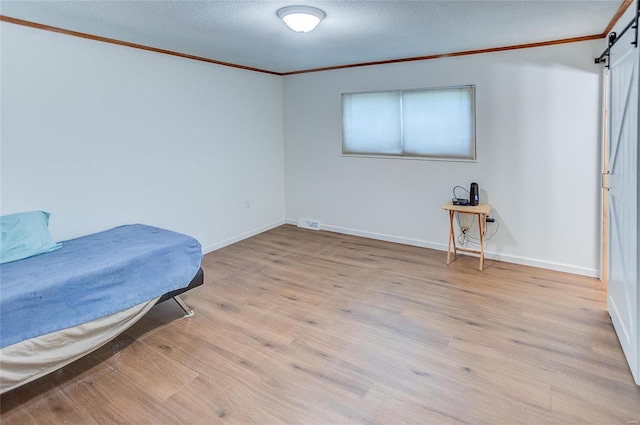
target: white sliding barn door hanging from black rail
622 279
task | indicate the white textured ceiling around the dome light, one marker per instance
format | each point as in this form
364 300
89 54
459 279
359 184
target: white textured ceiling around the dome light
248 33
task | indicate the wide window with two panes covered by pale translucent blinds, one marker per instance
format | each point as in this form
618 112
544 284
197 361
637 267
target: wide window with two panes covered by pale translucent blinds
429 123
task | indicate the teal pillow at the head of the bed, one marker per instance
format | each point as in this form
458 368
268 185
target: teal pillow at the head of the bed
25 235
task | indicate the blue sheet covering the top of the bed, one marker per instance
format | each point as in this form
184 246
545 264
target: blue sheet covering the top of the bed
91 277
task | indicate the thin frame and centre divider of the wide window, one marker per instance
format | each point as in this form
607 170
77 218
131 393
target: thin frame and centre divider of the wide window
403 154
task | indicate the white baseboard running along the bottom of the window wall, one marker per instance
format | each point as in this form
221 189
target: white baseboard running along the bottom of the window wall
516 259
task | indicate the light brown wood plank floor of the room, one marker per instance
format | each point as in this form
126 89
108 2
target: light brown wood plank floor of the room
303 327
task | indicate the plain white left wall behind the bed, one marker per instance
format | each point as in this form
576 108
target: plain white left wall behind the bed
102 135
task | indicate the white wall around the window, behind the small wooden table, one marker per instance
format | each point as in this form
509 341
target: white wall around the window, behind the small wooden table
538 131
